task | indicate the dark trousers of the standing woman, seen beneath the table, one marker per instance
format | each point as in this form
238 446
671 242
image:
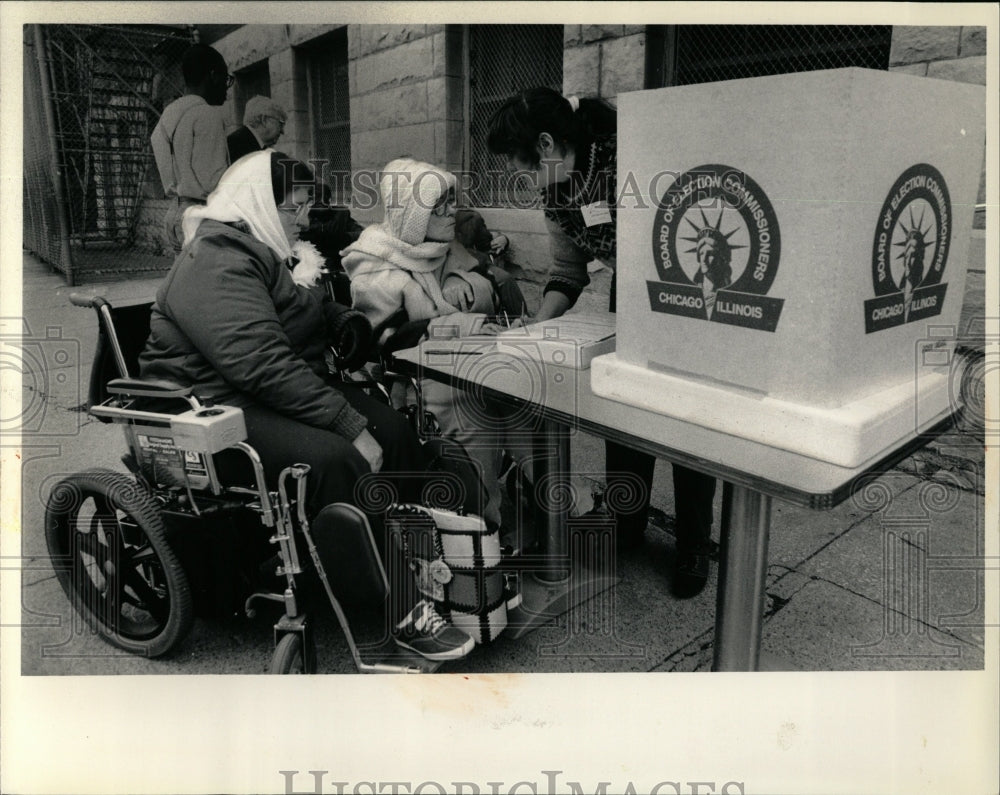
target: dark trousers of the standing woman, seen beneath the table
629 476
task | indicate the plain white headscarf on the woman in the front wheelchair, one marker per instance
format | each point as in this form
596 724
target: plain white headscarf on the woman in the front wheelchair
244 194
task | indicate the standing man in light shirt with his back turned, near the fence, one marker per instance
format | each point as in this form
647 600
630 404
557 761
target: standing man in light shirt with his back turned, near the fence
189 141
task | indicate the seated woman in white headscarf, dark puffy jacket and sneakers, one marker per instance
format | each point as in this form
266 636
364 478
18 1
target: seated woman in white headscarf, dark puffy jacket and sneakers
230 320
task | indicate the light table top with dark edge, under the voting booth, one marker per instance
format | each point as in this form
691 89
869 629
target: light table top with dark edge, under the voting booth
563 395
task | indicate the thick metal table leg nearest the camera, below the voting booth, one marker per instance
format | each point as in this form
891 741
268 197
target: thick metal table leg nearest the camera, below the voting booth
739 612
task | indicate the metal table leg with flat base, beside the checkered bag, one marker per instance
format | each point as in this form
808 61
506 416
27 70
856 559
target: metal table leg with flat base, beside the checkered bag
558 582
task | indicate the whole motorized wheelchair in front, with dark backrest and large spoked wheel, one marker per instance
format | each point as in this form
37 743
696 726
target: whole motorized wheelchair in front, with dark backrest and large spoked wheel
135 553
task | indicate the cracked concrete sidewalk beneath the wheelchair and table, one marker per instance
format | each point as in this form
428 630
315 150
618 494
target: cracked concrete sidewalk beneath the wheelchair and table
888 580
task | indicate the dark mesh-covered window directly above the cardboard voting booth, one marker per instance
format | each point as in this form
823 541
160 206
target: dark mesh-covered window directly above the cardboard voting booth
707 53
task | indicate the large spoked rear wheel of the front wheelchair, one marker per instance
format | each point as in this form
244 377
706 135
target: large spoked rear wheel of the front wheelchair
108 546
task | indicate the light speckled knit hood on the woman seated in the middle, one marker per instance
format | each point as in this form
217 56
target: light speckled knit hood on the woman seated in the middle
410 189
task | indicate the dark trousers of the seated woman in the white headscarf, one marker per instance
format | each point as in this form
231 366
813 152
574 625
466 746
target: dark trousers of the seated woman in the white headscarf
339 473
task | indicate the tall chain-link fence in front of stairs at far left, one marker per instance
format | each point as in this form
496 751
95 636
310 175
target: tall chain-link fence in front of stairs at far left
93 94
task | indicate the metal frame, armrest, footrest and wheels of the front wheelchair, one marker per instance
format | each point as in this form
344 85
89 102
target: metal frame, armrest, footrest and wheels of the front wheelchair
132 569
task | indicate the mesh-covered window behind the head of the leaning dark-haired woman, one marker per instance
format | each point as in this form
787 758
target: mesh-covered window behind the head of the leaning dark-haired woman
504 59
